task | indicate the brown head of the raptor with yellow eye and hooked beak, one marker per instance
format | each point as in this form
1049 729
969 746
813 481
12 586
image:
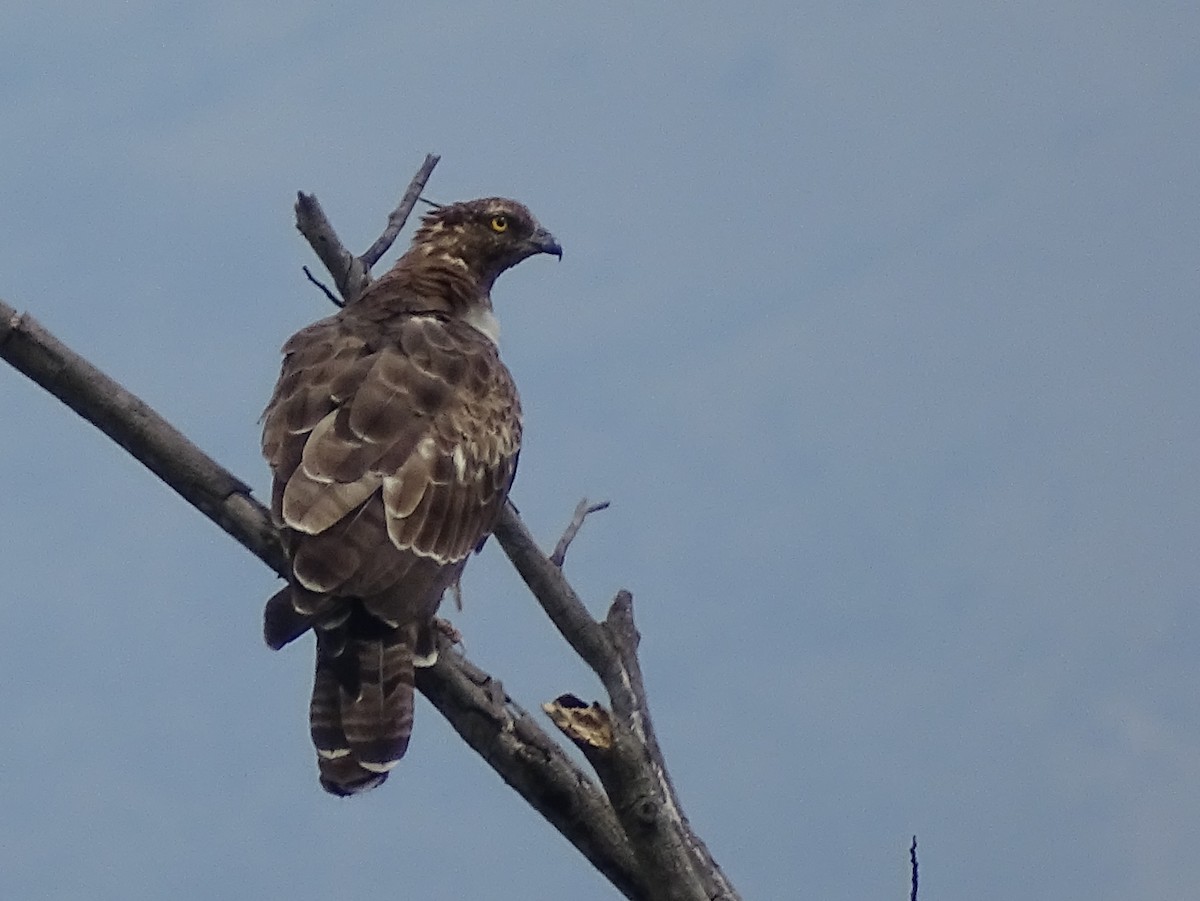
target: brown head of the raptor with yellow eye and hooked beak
484 237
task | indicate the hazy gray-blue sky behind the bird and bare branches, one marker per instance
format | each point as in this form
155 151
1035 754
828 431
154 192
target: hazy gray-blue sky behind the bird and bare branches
879 326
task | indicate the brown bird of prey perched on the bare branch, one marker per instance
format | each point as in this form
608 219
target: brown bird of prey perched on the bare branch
393 435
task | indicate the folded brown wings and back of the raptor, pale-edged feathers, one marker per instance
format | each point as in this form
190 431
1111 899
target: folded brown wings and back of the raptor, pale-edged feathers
391 450
